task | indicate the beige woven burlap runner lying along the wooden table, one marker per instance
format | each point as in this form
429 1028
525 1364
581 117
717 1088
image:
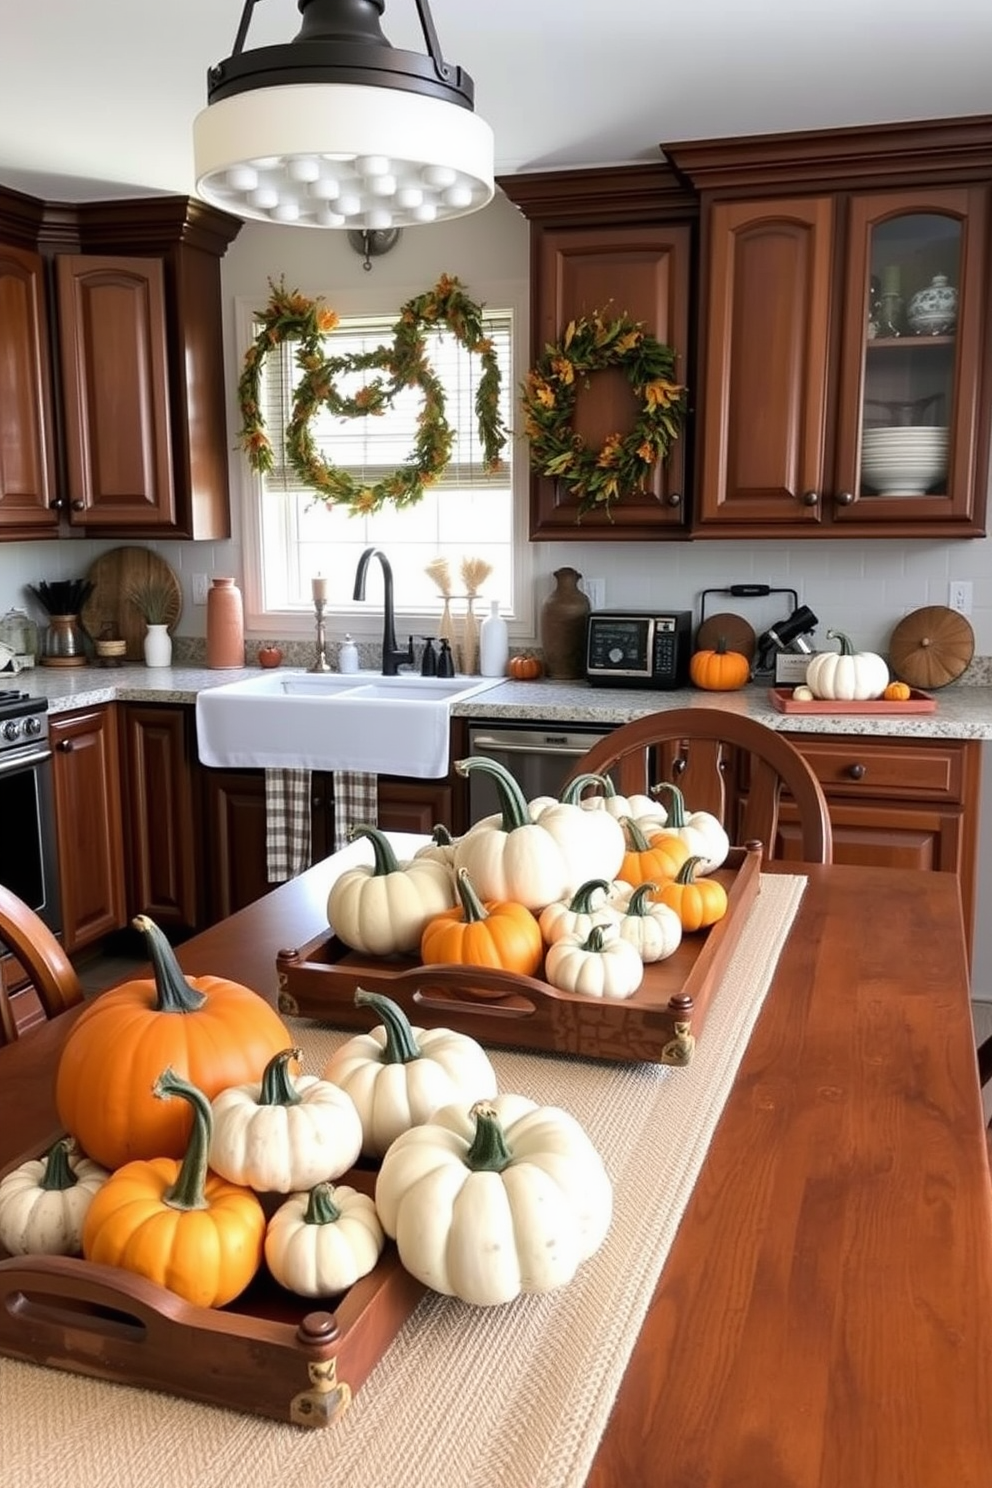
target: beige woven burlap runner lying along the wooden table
465 1398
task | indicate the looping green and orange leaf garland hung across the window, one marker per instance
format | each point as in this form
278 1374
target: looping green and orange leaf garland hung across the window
292 316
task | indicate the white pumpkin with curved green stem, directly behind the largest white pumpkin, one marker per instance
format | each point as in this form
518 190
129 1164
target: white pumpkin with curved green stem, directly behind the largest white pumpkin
398 1075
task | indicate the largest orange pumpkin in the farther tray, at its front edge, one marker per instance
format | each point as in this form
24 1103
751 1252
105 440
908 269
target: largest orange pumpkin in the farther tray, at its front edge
500 934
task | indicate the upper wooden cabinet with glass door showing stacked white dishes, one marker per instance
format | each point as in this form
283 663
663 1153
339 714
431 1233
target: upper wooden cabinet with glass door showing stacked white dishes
813 248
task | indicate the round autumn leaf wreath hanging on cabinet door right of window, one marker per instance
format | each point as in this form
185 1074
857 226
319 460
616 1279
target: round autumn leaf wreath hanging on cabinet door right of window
624 465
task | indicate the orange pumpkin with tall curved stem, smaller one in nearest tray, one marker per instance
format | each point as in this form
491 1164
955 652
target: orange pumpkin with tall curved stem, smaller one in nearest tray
200 1236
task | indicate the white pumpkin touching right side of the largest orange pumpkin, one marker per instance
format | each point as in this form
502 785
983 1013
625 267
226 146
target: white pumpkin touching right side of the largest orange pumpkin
283 1133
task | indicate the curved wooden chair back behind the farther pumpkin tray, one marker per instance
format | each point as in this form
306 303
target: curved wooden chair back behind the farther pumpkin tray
724 763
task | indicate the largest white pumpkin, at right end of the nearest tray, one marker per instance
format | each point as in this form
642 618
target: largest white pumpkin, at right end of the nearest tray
493 1200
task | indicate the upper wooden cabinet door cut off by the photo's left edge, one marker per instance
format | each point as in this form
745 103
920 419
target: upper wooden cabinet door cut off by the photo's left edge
28 434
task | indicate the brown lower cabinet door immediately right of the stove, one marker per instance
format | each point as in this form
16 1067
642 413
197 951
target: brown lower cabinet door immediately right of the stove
88 824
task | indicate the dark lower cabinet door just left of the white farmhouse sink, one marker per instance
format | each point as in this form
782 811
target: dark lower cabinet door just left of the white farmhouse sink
161 819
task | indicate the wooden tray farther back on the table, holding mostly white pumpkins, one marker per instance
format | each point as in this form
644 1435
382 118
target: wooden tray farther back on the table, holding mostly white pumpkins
658 1024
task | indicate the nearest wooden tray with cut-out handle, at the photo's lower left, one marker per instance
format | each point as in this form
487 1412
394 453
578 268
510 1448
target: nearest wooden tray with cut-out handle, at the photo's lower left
268 1353
